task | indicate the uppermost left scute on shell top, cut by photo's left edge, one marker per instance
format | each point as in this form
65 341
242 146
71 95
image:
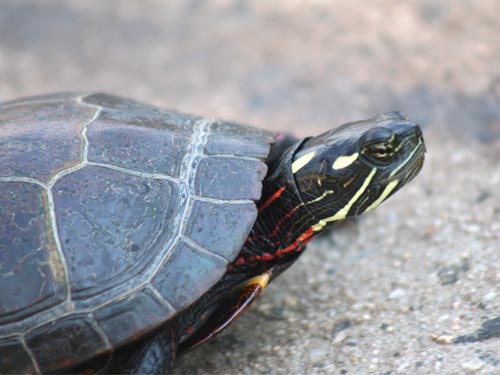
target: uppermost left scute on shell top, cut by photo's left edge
38 140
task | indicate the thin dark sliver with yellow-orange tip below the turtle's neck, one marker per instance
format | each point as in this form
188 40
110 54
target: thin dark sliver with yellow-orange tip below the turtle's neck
228 310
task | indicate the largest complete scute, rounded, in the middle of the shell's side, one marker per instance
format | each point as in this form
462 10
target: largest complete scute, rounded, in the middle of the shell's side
106 217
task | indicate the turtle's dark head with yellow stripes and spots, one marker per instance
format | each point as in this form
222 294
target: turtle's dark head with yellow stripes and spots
352 169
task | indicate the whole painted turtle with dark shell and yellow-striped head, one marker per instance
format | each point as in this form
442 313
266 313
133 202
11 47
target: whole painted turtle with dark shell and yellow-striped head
130 233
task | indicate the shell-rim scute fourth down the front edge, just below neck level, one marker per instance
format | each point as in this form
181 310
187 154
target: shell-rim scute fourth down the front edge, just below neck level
186 275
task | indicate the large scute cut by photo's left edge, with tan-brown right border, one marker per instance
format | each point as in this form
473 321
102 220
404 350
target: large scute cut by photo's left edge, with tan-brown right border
31 274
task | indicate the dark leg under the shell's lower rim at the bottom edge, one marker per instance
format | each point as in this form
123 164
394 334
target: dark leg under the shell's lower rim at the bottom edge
152 355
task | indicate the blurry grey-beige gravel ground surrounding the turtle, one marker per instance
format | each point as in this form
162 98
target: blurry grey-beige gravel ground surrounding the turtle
413 287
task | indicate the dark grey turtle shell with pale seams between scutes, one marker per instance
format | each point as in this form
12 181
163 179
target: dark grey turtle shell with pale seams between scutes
114 216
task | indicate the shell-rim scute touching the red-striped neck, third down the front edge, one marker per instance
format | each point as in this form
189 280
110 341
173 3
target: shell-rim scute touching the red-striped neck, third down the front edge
211 222
